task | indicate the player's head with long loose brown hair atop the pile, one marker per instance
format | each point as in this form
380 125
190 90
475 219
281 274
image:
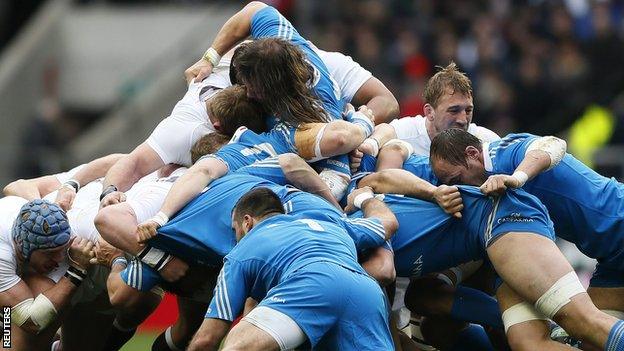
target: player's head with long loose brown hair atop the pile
276 73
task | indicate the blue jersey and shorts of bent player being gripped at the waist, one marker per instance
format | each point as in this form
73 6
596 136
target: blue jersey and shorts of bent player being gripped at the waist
429 240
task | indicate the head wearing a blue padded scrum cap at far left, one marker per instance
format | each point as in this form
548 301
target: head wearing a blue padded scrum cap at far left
41 234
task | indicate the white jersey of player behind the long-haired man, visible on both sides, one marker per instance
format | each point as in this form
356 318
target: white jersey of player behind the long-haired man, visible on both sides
175 135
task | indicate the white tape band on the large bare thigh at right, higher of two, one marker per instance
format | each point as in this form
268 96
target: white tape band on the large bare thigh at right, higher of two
559 294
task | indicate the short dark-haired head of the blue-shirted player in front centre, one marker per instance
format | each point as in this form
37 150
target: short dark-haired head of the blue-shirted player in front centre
252 208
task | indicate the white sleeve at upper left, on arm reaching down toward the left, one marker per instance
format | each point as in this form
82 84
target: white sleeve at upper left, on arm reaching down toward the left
173 138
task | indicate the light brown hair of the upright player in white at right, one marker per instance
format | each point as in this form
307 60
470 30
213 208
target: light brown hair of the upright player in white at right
449 77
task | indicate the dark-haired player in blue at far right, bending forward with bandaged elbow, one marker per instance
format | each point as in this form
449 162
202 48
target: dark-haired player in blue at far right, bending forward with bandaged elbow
582 203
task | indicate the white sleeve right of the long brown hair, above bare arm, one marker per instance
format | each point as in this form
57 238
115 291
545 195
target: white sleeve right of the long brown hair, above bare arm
349 75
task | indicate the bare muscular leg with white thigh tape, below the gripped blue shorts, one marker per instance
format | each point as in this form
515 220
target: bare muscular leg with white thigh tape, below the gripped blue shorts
547 279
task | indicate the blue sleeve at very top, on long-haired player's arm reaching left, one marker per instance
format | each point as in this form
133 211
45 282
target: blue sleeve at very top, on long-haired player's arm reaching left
269 23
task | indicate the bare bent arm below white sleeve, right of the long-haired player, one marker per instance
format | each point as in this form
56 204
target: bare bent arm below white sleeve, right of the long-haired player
378 98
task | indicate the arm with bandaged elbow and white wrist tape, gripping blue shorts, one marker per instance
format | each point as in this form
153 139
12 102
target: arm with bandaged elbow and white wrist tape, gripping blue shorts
542 154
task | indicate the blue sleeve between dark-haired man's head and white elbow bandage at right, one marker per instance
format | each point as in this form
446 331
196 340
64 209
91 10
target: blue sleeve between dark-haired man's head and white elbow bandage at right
507 153
